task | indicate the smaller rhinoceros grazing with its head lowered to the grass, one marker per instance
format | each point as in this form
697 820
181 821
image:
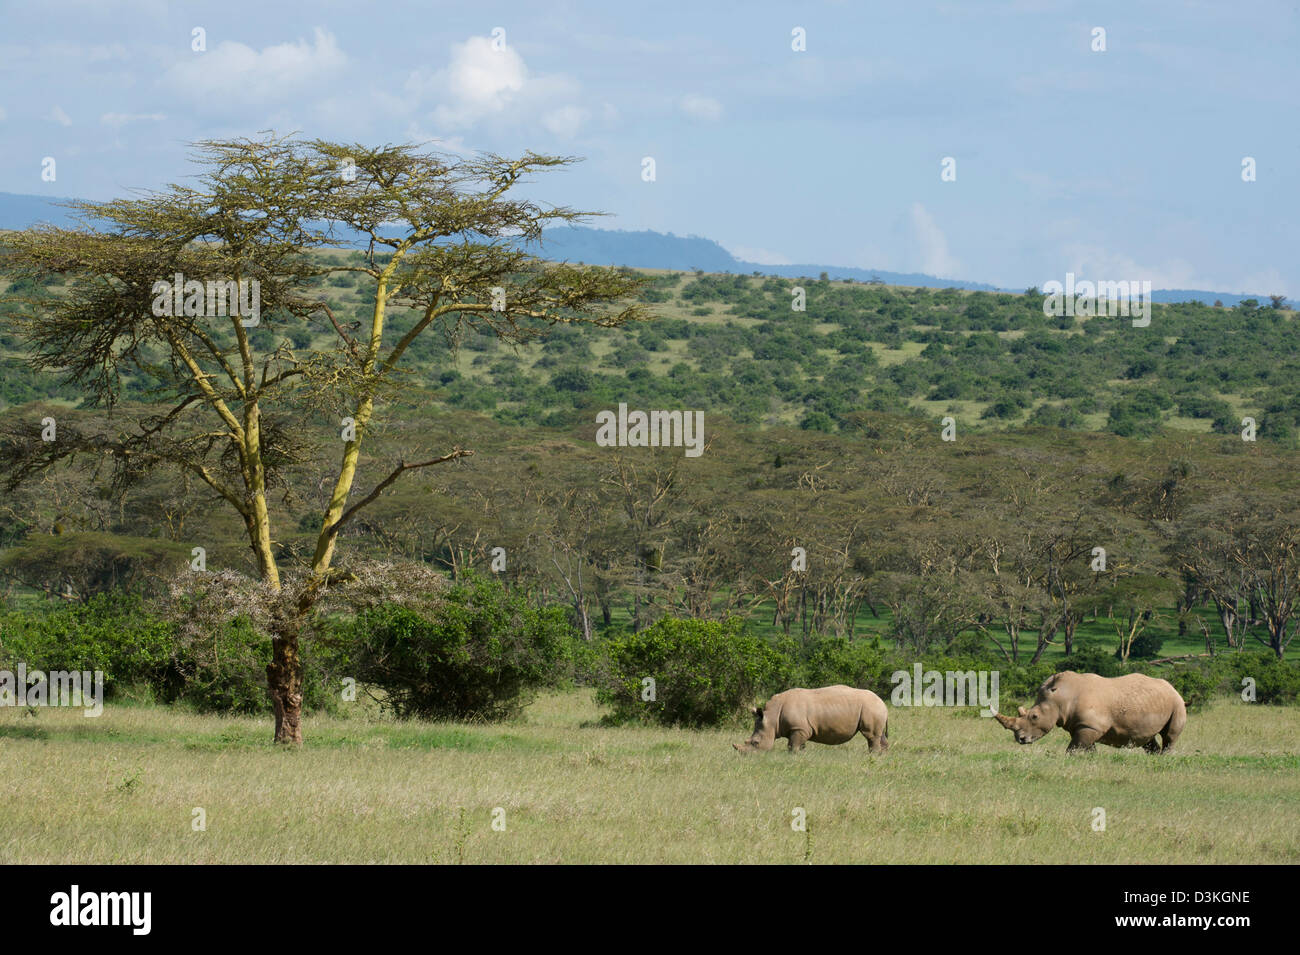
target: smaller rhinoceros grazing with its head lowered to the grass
830 715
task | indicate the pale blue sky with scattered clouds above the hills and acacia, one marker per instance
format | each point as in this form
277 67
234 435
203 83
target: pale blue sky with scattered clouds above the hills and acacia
1124 164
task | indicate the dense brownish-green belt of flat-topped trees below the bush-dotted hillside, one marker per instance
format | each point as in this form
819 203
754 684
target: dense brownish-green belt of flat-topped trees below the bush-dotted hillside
990 544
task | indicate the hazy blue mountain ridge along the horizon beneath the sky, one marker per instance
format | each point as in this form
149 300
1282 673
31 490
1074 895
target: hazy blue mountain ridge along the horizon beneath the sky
649 250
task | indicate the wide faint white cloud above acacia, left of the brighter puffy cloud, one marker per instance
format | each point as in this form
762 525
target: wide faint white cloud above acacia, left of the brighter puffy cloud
236 70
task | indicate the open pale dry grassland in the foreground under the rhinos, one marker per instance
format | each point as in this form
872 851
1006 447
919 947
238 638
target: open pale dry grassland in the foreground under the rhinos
952 789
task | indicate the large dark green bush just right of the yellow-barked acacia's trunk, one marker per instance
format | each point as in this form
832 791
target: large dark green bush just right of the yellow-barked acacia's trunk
482 658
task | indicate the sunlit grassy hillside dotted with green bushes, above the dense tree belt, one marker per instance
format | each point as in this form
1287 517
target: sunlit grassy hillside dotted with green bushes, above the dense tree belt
734 346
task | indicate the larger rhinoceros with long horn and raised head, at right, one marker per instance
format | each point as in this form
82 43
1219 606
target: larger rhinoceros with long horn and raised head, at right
1116 711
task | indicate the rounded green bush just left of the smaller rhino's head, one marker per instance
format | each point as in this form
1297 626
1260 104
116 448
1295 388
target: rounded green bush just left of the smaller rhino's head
707 674
